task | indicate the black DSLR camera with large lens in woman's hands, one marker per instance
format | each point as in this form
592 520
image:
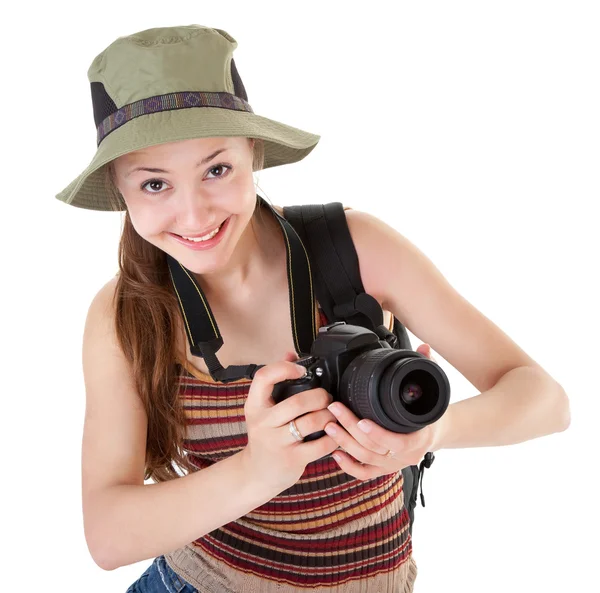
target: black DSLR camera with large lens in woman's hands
399 389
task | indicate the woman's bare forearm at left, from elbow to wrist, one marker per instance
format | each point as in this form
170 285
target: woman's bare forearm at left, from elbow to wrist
128 523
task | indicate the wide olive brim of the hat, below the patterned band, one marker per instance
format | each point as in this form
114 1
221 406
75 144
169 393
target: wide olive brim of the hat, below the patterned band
283 144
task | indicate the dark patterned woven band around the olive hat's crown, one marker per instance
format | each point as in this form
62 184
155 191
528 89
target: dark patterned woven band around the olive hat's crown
169 102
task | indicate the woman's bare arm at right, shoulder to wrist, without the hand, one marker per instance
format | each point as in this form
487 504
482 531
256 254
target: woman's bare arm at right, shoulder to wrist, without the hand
519 400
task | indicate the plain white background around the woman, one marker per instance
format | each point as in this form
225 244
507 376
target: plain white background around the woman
470 127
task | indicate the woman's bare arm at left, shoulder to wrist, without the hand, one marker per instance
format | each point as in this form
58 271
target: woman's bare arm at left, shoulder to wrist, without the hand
125 520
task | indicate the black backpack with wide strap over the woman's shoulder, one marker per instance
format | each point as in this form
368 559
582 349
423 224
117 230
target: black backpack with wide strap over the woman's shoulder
338 287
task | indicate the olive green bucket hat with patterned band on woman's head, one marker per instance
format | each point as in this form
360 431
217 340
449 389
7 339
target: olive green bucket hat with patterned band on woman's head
167 84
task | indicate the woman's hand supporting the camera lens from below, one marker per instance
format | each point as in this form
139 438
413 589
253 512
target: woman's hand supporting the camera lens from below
378 451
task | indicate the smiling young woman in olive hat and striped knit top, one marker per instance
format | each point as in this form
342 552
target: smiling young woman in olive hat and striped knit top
239 502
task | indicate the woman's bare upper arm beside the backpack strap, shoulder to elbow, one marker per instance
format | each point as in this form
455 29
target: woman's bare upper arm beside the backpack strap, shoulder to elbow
409 284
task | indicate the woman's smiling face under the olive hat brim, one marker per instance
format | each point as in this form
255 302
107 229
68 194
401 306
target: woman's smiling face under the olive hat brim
177 209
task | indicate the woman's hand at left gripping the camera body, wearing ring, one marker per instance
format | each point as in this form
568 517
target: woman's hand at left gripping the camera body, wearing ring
272 453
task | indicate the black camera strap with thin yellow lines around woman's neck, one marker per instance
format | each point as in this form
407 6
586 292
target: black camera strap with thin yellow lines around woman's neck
201 326
